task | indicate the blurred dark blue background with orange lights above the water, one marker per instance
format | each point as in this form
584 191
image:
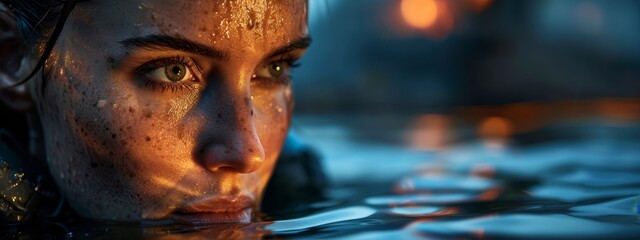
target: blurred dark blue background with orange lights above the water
408 56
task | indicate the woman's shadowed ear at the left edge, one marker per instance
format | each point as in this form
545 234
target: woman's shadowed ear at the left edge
15 63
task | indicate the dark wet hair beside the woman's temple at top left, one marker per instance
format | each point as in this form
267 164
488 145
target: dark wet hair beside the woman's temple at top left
40 23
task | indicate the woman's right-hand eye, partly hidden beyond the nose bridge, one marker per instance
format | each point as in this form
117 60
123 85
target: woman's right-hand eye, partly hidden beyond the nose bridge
277 71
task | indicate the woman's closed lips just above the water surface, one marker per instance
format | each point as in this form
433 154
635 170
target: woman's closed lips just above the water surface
236 209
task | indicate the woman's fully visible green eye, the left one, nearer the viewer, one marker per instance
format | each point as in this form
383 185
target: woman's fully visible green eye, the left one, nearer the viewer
173 73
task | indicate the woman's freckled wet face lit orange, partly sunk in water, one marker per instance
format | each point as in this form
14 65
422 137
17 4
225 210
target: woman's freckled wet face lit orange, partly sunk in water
170 109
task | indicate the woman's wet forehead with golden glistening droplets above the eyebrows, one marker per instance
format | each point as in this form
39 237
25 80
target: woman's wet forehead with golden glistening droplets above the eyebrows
223 23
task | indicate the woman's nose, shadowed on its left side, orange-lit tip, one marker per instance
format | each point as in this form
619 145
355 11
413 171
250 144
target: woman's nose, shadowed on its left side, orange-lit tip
231 142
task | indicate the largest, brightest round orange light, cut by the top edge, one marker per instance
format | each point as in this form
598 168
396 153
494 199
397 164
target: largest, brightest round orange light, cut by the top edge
419 13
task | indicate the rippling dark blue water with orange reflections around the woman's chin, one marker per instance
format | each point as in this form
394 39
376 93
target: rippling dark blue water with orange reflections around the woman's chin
575 180
